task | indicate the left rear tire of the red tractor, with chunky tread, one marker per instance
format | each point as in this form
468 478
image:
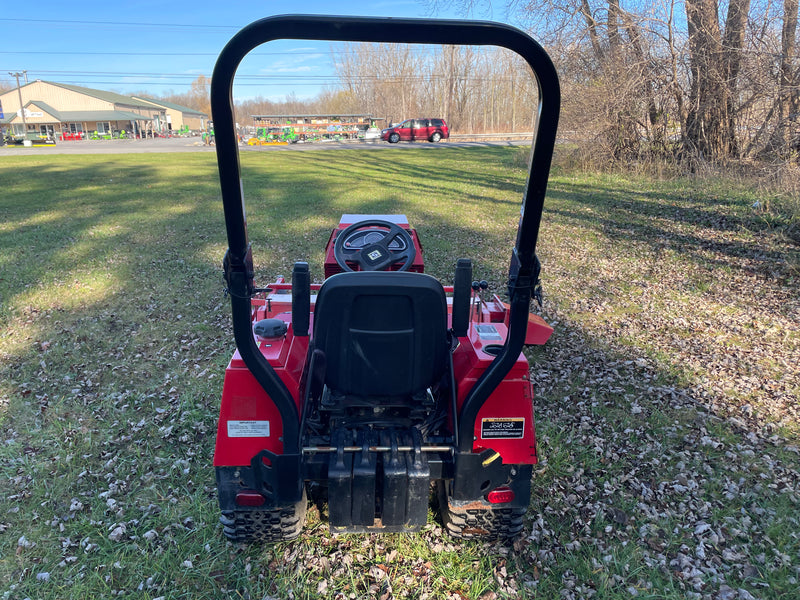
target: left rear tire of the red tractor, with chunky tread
275 525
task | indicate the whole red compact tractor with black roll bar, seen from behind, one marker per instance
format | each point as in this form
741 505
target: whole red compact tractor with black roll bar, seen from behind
365 390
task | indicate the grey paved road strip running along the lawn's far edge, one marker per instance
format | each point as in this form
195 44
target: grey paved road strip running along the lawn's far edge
196 145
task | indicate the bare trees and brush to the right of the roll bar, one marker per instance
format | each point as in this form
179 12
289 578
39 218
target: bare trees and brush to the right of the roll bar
699 78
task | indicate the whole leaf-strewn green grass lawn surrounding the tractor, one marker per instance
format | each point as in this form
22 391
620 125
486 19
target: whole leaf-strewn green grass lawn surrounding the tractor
667 400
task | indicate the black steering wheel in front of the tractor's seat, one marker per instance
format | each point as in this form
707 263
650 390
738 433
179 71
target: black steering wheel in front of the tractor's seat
375 256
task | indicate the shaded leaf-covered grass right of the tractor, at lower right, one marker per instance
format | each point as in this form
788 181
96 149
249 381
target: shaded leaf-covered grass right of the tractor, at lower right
636 471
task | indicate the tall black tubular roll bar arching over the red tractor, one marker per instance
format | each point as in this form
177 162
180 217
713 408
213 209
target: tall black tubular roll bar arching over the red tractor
239 268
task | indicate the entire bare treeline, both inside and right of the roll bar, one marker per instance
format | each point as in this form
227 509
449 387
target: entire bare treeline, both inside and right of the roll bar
697 79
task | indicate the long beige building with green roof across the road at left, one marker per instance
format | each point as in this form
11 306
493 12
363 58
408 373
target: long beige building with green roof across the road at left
63 111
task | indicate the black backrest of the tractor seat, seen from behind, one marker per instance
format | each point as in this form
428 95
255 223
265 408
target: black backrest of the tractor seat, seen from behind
382 333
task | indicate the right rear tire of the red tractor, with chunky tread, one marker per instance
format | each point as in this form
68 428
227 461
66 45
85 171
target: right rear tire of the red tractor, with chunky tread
478 519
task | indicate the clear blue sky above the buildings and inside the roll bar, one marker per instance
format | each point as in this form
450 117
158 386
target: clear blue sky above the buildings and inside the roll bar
159 46
